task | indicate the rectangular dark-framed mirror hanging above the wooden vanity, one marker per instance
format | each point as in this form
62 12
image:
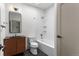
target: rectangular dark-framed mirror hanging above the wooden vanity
14 22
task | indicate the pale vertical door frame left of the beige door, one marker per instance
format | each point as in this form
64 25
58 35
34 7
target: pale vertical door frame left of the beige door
59 5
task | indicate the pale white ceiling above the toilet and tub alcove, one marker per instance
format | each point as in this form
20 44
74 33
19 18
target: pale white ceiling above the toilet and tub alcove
41 5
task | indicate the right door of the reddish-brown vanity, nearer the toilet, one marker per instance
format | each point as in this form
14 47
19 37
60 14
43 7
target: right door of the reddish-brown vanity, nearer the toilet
20 45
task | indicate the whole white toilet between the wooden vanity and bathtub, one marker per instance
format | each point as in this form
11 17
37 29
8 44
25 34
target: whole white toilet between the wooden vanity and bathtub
33 46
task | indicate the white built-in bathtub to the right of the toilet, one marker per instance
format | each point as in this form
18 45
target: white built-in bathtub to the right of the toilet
47 47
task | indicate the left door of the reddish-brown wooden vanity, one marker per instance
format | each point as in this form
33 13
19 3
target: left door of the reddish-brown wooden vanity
10 47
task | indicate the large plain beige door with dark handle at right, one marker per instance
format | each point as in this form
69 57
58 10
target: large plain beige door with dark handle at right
69 29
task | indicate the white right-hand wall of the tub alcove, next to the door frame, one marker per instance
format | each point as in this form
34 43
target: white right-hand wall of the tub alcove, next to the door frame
51 26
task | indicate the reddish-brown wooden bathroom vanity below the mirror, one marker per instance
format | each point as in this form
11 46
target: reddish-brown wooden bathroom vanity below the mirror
14 45
